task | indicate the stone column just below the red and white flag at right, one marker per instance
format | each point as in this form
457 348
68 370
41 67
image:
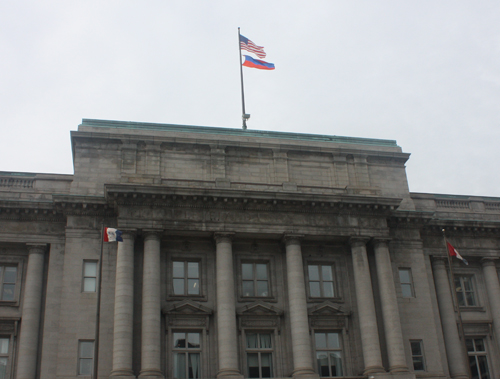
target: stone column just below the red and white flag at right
454 347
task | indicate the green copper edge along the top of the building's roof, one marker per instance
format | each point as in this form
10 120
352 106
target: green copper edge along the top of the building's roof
236 132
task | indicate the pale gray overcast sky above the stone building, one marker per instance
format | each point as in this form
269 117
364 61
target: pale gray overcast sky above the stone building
425 73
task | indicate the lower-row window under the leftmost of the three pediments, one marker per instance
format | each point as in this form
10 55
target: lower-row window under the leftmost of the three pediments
186 355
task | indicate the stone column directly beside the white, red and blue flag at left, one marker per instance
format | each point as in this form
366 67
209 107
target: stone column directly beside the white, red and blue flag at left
124 307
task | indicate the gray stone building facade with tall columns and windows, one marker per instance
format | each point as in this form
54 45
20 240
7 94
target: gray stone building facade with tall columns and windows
245 254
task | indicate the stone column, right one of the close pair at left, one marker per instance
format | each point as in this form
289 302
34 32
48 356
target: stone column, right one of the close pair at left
151 307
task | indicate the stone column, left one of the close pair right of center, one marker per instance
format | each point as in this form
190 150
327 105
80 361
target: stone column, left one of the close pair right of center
366 308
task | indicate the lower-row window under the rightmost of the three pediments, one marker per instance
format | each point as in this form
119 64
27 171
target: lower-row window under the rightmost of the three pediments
328 354
